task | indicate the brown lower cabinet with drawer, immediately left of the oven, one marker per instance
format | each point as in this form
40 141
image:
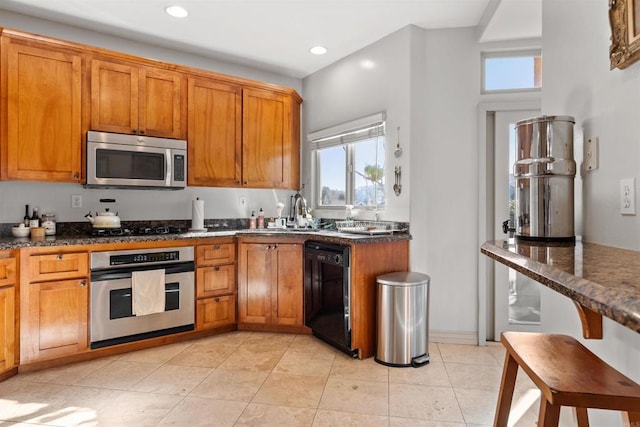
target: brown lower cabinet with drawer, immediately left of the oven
54 303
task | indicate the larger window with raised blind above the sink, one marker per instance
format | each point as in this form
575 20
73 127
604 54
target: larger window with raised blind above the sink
350 164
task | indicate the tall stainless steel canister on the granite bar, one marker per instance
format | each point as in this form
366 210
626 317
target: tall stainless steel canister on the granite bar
544 172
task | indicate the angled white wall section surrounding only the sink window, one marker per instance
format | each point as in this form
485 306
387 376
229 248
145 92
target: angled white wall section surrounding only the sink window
348 90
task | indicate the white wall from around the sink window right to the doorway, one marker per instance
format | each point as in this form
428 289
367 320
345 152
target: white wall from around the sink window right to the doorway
428 82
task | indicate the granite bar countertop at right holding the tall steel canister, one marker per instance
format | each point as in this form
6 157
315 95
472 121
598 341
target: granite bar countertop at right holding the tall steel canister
601 278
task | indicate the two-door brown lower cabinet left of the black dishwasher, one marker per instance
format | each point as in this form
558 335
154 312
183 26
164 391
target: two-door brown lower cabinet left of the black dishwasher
270 284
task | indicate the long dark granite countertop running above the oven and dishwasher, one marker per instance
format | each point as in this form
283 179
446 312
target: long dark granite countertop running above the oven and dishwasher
83 239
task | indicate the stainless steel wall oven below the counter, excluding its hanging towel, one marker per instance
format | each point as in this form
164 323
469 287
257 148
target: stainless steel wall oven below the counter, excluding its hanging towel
112 320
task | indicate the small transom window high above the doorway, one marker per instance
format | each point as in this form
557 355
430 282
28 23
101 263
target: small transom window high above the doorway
511 71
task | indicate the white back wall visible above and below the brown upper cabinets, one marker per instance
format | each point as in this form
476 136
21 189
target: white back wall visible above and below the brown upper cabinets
135 204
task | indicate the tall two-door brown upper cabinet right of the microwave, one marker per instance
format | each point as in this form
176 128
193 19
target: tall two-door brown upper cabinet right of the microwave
242 137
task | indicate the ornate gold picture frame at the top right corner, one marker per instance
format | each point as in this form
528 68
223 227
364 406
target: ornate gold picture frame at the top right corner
624 19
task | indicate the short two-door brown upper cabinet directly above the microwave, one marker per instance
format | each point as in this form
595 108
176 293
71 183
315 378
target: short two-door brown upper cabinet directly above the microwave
139 99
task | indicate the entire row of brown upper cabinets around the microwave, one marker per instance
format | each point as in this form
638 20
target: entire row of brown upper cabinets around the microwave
240 133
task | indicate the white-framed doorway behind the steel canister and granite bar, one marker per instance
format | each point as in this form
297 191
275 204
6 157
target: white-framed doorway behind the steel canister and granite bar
497 286
